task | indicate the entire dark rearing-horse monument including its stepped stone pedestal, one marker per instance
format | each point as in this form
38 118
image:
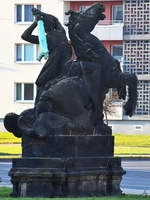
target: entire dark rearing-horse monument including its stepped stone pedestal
67 149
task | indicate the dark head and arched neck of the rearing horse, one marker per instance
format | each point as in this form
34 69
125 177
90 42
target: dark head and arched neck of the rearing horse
87 46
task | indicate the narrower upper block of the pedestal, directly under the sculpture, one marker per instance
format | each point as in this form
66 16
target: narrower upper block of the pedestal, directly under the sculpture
68 146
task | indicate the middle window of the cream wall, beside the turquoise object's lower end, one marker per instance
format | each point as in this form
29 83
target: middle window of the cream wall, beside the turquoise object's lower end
26 52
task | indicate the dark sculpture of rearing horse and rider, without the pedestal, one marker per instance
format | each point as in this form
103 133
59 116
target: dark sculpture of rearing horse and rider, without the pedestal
70 94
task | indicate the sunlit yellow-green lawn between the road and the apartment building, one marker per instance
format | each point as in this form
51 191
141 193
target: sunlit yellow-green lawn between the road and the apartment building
125 145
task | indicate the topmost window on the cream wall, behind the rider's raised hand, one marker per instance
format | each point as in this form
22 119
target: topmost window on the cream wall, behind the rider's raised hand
24 12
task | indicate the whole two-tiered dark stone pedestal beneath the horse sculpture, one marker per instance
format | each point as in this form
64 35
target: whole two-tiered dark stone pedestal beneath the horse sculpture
69 166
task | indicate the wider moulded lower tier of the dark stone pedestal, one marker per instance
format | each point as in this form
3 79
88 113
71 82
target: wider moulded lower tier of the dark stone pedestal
66 177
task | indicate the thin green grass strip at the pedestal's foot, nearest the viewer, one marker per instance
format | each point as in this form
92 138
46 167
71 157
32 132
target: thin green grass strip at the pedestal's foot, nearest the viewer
5 192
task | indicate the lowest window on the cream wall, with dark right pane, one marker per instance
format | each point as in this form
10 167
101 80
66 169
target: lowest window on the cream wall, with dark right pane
25 91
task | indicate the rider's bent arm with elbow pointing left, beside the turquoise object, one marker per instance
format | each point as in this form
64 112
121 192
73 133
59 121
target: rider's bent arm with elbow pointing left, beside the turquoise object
27 35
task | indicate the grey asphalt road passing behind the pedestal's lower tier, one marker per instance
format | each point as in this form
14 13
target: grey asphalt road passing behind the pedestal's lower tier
135 181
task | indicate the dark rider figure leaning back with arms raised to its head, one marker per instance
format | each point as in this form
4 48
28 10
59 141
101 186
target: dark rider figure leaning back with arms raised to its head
57 45
